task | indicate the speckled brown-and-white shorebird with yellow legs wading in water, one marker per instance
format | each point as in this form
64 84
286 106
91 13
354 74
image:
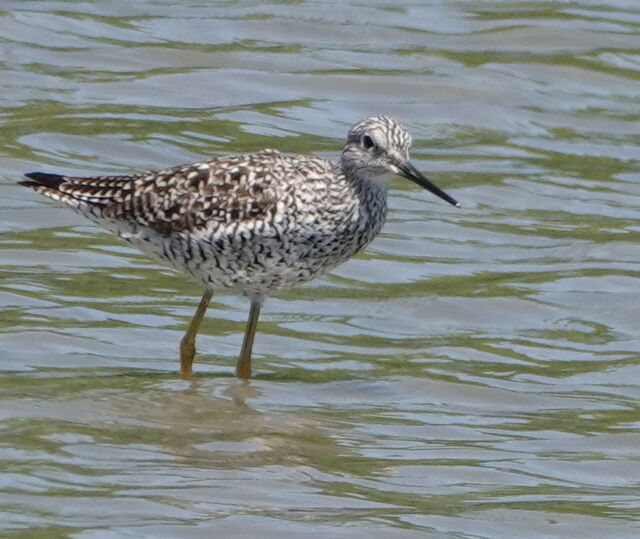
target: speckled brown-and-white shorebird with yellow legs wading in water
253 224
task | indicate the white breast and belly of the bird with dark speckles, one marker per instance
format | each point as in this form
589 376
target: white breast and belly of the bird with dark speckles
301 241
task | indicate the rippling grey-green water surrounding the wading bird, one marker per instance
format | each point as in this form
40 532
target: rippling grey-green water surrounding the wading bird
473 374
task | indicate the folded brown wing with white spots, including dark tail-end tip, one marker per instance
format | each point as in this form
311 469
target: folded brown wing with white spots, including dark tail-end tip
225 190
